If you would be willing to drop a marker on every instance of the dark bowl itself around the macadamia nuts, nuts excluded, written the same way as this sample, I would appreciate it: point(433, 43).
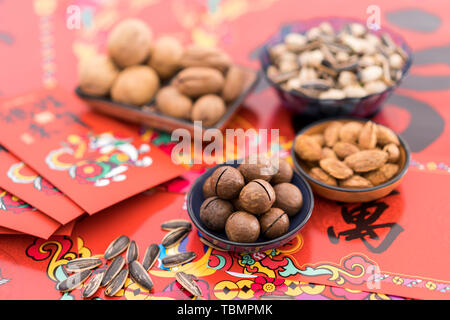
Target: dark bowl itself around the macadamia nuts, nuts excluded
point(219, 239)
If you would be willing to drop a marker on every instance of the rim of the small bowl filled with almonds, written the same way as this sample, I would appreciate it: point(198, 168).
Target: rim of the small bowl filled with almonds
point(327, 186)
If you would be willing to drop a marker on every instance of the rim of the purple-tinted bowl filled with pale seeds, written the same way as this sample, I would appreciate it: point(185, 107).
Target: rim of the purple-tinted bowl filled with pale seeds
point(266, 46)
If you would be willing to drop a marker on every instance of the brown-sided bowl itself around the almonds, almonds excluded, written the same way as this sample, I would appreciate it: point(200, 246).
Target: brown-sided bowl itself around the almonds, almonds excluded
point(346, 194)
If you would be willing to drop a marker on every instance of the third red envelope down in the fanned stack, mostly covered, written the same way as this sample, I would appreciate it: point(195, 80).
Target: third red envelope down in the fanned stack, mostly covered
point(20, 216)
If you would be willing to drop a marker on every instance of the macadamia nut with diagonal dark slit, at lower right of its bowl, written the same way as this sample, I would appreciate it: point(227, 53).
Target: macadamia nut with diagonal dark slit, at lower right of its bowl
point(274, 223)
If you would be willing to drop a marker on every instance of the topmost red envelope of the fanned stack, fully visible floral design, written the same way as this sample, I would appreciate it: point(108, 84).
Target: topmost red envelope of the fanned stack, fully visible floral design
point(94, 160)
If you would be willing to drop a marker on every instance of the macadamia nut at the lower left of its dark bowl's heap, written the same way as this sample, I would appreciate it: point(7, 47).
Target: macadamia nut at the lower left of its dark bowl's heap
point(214, 213)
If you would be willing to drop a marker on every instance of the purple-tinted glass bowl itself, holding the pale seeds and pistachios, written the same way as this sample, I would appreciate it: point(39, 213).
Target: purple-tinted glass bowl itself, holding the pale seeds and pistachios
point(320, 108)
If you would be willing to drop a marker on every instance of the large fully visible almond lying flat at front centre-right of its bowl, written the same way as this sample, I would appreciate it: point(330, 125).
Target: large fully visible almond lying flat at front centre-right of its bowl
point(366, 160)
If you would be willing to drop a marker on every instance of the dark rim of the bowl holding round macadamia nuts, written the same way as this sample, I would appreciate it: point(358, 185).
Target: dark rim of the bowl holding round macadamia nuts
point(203, 230)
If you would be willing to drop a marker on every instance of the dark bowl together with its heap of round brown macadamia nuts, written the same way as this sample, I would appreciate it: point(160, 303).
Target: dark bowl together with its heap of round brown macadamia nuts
point(250, 205)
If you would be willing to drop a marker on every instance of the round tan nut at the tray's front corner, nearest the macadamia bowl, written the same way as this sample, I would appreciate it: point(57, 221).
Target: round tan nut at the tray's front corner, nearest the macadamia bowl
point(208, 109)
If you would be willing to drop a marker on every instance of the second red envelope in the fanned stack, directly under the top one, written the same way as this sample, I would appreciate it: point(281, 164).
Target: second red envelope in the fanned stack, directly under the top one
point(19, 179)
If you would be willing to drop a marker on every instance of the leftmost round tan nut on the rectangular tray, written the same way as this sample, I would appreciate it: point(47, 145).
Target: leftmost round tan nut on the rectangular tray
point(97, 75)
